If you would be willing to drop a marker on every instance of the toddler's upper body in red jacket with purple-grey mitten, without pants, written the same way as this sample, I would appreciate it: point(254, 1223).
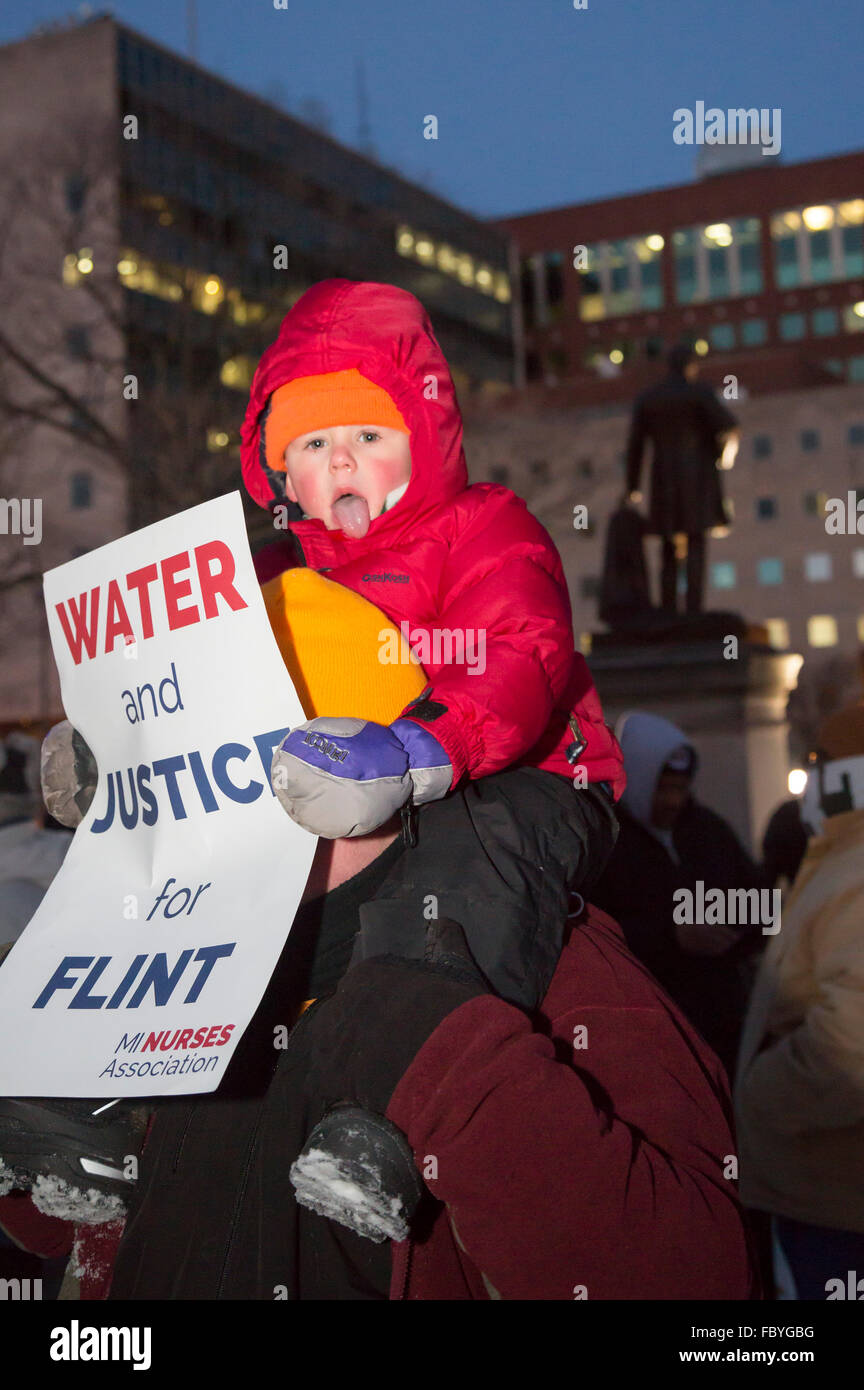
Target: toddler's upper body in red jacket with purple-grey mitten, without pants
point(354, 439)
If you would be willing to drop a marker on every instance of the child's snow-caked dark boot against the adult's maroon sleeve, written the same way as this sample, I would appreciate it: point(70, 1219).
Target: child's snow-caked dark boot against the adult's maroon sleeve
point(358, 1170)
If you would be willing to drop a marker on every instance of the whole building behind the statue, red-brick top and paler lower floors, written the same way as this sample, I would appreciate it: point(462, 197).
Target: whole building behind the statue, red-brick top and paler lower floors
point(763, 272)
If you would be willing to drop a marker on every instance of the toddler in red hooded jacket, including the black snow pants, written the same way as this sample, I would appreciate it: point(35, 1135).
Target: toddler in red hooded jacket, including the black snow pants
point(354, 440)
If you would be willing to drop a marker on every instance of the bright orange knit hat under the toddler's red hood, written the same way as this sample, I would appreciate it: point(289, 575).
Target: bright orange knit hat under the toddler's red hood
point(331, 398)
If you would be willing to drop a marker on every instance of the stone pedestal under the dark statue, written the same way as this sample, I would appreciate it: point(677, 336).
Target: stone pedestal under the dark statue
point(733, 710)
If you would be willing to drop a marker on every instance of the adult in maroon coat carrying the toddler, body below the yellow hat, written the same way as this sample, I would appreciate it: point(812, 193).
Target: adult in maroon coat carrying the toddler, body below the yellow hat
point(577, 1150)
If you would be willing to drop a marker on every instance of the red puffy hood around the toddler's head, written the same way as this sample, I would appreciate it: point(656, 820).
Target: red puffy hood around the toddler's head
point(384, 333)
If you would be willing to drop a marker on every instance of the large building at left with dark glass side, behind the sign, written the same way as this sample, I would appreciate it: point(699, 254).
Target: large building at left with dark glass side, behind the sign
point(162, 223)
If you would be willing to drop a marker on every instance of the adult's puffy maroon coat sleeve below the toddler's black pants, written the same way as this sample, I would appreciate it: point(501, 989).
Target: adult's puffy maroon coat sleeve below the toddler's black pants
point(566, 1179)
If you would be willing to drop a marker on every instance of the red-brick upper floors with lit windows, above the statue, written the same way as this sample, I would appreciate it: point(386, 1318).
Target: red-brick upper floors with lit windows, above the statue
point(762, 269)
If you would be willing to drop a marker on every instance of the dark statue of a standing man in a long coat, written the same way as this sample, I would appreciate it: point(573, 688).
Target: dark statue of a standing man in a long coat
point(691, 433)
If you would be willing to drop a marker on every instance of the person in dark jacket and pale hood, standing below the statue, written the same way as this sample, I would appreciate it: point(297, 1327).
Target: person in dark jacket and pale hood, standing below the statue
point(669, 843)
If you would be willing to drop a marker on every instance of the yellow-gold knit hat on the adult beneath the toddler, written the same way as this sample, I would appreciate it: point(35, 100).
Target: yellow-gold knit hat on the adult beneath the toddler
point(331, 641)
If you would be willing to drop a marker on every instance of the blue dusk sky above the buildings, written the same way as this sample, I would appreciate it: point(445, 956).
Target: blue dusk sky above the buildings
point(538, 105)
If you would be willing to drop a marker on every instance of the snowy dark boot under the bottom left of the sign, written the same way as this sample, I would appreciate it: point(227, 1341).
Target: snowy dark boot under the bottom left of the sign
point(73, 1156)
